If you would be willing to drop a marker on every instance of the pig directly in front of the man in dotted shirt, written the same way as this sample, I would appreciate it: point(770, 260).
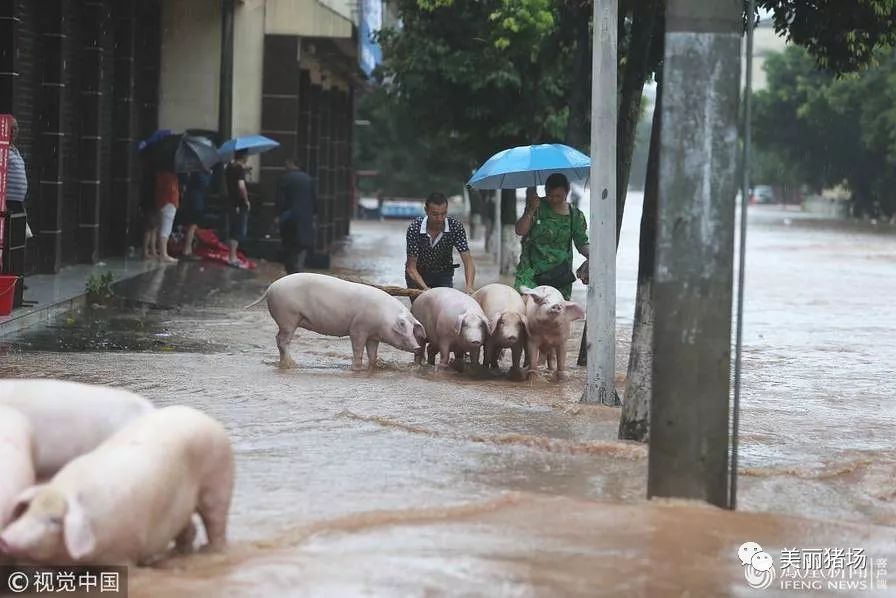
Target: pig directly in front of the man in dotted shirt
point(454, 322)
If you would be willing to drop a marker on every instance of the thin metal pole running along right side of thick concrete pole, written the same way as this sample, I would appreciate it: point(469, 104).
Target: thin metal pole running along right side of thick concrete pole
point(742, 252)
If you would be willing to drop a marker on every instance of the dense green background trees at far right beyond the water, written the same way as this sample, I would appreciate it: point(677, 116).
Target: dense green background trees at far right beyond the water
point(825, 130)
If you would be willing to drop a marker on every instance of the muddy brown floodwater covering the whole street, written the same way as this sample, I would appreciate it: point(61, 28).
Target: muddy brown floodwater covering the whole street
point(403, 482)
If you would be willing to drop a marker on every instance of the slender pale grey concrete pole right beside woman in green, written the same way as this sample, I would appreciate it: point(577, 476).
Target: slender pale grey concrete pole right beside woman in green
point(601, 309)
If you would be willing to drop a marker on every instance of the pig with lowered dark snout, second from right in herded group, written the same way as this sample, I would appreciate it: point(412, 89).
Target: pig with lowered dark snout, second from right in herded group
point(506, 313)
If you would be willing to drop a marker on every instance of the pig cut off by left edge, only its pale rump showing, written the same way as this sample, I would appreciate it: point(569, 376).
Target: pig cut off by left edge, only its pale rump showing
point(17, 452)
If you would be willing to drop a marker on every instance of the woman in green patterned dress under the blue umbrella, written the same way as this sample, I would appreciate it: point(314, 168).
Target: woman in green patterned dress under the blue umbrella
point(549, 227)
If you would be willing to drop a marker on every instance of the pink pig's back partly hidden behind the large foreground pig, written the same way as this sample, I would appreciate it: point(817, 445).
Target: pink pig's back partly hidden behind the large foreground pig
point(69, 418)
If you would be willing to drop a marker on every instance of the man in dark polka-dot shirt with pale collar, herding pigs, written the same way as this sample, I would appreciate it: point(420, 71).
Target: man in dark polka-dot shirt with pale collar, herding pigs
point(431, 240)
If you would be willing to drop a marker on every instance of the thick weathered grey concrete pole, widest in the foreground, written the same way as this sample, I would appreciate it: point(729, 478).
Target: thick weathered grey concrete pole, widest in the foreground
point(688, 454)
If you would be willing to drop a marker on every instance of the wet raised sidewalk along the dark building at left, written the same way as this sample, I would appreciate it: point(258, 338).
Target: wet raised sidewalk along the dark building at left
point(55, 294)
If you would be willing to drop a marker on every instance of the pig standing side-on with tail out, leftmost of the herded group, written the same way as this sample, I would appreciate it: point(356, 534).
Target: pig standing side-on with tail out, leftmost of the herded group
point(335, 307)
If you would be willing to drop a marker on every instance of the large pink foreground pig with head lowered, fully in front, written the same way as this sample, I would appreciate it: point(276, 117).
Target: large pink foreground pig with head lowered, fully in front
point(126, 501)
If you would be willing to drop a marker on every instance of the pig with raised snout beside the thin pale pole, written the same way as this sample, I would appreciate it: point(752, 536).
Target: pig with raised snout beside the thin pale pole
point(548, 319)
